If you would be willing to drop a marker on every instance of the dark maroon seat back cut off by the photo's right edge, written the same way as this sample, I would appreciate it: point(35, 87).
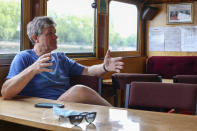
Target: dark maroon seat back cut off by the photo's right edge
point(190, 79)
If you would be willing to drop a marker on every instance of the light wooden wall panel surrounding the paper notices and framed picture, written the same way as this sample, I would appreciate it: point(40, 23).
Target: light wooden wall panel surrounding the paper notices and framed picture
point(160, 20)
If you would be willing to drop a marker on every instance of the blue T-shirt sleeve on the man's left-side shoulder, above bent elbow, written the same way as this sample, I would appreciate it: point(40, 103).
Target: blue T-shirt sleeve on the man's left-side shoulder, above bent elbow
point(17, 66)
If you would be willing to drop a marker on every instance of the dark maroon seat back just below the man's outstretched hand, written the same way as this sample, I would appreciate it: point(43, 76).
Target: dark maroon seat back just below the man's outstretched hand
point(119, 80)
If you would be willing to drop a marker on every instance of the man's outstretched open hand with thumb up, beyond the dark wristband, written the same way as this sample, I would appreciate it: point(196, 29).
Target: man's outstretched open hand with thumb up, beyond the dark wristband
point(113, 64)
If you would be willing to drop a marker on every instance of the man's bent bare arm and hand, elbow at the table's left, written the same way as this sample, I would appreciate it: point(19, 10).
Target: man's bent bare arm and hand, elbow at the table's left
point(15, 85)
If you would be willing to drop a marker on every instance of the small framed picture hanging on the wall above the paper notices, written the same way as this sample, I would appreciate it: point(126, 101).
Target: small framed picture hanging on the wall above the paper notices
point(179, 13)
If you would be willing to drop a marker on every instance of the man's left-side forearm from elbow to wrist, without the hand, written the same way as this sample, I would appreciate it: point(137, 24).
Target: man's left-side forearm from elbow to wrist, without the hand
point(13, 86)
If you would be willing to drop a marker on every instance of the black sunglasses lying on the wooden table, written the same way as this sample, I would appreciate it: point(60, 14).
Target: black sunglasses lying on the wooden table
point(77, 119)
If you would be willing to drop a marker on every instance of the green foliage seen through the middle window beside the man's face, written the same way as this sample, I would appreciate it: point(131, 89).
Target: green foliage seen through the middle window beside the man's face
point(75, 29)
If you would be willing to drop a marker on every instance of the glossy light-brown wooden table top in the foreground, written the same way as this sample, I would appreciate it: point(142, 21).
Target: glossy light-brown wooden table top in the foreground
point(22, 111)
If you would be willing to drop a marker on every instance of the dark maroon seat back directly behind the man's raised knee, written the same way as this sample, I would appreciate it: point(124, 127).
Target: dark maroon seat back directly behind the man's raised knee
point(90, 81)
